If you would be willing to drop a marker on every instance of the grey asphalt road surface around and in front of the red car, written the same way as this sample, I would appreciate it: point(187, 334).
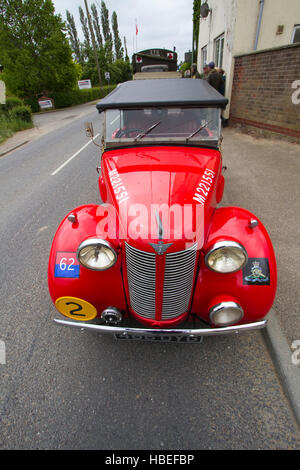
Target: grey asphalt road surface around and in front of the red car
point(70, 389)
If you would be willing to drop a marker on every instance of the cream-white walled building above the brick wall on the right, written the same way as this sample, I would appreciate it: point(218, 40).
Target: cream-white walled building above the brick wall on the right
point(235, 27)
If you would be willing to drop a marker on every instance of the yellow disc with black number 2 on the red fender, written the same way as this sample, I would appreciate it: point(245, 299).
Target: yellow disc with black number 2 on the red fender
point(75, 308)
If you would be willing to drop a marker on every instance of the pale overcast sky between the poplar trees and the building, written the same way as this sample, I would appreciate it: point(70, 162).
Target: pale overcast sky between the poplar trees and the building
point(161, 23)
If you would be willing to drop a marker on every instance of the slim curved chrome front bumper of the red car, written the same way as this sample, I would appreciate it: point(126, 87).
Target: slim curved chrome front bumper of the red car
point(146, 332)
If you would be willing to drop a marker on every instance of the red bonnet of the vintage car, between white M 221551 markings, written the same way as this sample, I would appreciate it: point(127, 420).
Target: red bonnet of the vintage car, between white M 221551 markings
point(163, 175)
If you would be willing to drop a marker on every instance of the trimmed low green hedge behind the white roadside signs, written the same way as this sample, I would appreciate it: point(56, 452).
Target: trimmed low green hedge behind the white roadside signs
point(65, 99)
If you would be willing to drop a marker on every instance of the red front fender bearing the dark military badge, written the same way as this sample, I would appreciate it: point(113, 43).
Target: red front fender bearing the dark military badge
point(255, 295)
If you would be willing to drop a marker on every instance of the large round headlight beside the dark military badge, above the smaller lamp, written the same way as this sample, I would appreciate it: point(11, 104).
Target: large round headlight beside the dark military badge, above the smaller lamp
point(226, 257)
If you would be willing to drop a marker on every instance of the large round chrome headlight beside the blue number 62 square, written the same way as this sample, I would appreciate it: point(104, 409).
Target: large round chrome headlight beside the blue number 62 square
point(96, 254)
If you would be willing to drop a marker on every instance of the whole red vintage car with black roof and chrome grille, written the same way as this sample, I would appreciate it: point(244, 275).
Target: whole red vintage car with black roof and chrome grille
point(157, 259)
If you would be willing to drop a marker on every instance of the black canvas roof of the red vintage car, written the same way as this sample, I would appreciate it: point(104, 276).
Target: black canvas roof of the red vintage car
point(162, 92)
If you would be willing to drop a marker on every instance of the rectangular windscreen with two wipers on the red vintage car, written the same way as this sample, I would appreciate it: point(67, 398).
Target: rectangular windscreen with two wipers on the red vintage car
point(162, 125)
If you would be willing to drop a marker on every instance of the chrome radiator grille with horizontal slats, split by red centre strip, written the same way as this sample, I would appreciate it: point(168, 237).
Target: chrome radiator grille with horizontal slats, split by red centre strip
point(178, 281)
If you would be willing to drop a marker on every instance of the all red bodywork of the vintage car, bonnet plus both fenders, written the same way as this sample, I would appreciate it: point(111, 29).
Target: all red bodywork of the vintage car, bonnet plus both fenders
point(165, 175)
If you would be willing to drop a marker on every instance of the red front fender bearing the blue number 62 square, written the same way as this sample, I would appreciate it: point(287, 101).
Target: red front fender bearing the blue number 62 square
point(67, 278)
